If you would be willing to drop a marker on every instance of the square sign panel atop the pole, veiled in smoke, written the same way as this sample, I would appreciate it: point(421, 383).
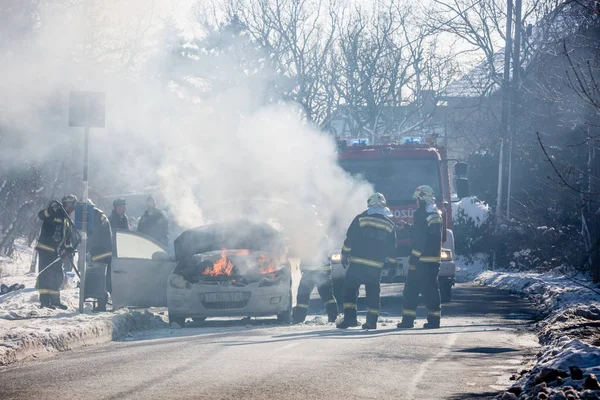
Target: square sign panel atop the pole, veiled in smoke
point(86, 109)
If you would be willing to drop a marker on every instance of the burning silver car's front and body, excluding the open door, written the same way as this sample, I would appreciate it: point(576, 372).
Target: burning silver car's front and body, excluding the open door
point(232, 269)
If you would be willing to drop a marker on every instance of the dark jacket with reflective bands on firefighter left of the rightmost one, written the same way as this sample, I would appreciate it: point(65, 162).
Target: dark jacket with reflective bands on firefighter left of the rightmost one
point(370, 240)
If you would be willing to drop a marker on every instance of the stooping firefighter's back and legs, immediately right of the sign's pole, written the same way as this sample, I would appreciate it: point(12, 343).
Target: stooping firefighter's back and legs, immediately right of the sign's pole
point(100, 250)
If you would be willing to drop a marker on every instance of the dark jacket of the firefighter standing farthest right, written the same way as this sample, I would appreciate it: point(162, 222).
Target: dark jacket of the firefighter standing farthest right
point(426, 236)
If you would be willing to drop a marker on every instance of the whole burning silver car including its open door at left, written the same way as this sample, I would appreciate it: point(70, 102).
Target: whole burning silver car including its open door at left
point(237, 267)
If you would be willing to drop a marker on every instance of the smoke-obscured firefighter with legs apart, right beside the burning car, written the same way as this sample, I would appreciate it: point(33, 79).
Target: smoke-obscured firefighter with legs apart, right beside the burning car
point(315, 273)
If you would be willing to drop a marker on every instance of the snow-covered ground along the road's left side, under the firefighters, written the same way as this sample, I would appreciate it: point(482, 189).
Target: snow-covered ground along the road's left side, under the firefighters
point(26, 331)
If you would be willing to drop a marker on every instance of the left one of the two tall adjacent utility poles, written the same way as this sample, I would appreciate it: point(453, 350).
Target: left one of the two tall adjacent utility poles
point(505, 105)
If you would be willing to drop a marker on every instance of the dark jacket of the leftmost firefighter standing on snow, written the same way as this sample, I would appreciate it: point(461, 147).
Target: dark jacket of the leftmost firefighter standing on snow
point(57, 234)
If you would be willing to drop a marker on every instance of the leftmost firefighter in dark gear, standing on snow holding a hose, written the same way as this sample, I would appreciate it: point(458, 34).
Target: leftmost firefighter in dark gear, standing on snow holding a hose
point(57, 243)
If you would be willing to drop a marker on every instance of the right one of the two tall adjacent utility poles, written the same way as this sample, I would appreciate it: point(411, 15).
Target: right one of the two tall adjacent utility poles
point(515, 97)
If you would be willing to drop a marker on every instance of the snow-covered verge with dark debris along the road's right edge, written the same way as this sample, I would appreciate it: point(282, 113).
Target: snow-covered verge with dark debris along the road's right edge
point(570, 360)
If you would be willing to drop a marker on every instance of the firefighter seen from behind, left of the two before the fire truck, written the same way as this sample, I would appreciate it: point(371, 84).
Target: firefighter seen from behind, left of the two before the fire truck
point(370, 244)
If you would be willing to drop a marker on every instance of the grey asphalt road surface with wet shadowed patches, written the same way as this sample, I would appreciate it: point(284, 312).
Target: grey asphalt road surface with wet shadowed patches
point(484, 339)
